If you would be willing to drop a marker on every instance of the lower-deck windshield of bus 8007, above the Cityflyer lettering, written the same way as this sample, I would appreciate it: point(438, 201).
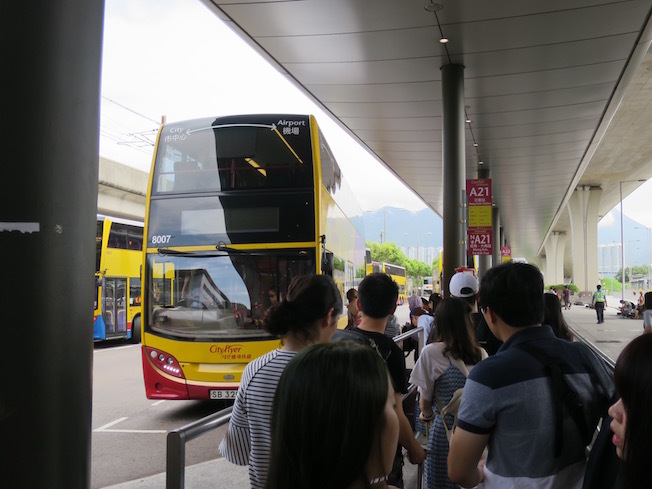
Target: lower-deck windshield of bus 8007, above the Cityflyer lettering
point(217, 297)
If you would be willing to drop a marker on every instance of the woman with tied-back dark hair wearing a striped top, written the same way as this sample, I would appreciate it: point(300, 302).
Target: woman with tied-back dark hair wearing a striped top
point(308, 314)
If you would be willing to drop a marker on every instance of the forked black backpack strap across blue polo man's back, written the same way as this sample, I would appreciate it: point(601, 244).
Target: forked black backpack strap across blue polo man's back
point(562, 394)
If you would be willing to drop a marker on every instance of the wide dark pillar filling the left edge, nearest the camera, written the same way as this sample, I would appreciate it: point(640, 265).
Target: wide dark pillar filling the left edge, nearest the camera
point(51, 65)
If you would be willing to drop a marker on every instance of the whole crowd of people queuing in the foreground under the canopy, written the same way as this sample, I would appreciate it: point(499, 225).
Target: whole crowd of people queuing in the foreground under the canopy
point(510, 400)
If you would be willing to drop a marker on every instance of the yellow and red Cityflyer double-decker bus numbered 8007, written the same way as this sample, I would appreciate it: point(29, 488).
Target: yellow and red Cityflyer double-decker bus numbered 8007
point(236, 207)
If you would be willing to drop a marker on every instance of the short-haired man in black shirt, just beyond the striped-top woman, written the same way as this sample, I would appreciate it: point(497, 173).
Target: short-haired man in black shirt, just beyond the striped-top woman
point(377, 296)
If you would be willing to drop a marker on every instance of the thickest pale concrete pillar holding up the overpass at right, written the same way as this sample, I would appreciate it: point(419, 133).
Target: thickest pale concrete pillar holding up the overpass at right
point(583, 211)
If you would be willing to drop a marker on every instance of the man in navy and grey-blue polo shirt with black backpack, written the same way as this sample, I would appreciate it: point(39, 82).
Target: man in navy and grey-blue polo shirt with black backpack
point(508, 403)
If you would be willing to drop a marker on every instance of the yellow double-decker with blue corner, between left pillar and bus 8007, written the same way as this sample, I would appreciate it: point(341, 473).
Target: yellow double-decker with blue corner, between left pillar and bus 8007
point(118, 257)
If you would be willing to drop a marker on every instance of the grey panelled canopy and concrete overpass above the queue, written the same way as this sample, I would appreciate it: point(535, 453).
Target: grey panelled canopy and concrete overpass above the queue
point(545, 86)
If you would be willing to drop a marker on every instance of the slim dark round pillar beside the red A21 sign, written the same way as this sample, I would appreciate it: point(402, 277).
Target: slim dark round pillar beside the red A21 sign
point(454, 169)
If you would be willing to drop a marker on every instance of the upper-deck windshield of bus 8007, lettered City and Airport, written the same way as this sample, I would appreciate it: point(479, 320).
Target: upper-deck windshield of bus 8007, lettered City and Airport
point(227, 155)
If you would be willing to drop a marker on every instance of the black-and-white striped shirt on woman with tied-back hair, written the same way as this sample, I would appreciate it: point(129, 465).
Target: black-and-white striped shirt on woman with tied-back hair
point(248, 438)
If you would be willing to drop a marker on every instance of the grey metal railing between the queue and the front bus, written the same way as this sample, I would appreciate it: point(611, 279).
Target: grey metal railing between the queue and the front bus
point(175, 465)
